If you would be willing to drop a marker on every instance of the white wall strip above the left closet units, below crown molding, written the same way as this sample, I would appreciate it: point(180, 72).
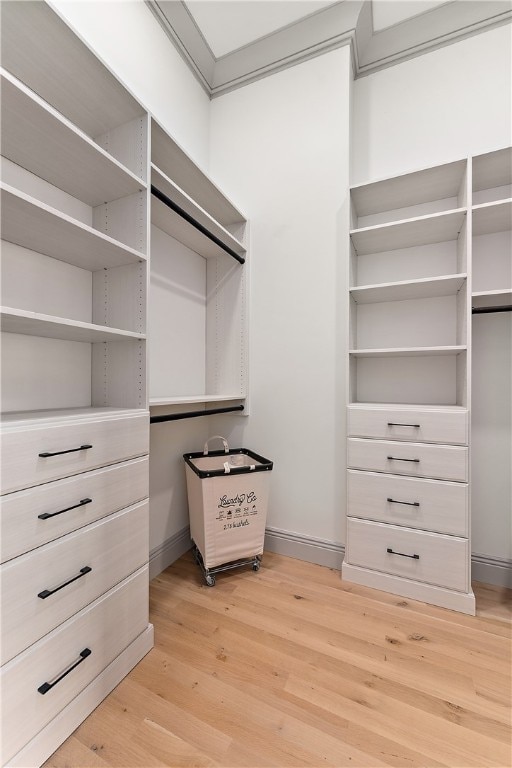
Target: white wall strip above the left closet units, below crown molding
point(128, 38)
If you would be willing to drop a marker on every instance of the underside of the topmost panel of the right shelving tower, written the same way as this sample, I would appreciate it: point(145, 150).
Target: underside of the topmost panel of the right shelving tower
point(409, 189)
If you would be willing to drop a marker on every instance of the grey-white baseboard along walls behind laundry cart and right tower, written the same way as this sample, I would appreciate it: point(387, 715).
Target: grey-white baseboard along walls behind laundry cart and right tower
point(490, 570)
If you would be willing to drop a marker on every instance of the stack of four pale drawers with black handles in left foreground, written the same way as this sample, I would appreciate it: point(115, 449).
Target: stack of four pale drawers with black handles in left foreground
point(74, 566)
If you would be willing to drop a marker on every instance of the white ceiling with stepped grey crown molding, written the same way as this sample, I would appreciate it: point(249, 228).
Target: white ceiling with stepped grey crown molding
point(231, 43)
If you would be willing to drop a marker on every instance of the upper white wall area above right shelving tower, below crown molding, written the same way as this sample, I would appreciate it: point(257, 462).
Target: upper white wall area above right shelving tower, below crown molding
point(447, 104)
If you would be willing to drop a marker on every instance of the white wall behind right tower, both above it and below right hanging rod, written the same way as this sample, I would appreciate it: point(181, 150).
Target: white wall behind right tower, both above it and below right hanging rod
point(448, 104)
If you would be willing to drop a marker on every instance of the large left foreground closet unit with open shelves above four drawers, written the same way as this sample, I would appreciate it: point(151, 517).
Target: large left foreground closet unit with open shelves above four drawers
point(75, 420)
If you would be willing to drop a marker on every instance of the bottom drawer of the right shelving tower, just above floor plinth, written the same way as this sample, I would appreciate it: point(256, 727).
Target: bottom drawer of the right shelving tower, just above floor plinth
point(440, 560)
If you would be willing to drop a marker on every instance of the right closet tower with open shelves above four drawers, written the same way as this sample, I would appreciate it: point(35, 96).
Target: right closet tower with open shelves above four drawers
point(409, 330)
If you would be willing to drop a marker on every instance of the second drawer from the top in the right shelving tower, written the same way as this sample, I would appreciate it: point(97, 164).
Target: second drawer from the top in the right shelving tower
point(444, 462)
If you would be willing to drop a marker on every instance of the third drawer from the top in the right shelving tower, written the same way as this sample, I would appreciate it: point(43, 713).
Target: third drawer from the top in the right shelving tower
point(432, 505)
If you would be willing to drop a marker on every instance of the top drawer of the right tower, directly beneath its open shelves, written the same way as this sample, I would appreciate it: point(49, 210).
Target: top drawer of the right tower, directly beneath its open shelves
point(420, 426)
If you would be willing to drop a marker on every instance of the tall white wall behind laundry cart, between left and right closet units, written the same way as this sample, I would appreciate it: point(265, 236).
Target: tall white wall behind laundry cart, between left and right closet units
point(280, 148)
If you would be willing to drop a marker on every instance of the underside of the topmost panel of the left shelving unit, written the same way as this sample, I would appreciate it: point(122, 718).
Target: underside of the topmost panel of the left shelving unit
point(56, 64)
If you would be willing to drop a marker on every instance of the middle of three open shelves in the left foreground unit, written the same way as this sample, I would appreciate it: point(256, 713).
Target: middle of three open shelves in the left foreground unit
point(34, 225)
